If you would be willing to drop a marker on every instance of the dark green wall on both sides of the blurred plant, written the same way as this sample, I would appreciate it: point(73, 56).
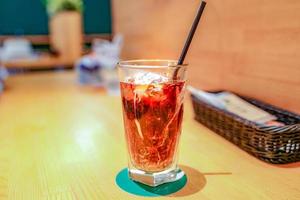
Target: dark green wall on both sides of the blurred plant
point(29, 17)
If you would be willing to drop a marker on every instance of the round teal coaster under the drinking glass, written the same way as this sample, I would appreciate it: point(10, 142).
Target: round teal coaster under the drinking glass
point(132, 187)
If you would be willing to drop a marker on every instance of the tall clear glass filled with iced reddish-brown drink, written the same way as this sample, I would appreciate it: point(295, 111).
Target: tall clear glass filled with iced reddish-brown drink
point(152, 102)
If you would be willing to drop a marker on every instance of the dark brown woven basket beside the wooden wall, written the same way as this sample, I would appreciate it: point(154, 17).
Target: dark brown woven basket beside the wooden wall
point(273, 144)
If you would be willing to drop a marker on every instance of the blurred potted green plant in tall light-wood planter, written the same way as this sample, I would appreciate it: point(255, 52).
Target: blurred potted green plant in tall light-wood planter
point(66, 28)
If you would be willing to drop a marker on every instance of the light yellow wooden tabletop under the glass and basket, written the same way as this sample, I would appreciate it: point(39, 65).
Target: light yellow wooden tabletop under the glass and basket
point(62, 141)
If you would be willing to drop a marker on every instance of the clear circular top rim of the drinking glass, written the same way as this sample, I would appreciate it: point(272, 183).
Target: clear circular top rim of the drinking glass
point(142, 63)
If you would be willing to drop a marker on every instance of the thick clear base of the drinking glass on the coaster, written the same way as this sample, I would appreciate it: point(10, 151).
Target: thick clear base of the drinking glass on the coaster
point(156, 178)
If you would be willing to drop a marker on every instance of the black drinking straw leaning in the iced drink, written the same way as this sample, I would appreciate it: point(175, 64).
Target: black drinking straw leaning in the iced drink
point(190, 37)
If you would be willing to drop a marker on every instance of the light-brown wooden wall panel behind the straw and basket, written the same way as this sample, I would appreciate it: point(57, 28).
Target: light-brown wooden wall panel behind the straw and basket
point(250, 46)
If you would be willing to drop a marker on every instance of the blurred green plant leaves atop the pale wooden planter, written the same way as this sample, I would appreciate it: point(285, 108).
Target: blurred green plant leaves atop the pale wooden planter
point(55, 6)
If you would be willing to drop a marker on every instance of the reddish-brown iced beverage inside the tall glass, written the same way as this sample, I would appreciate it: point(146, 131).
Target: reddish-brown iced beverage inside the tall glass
point(152, 117)
